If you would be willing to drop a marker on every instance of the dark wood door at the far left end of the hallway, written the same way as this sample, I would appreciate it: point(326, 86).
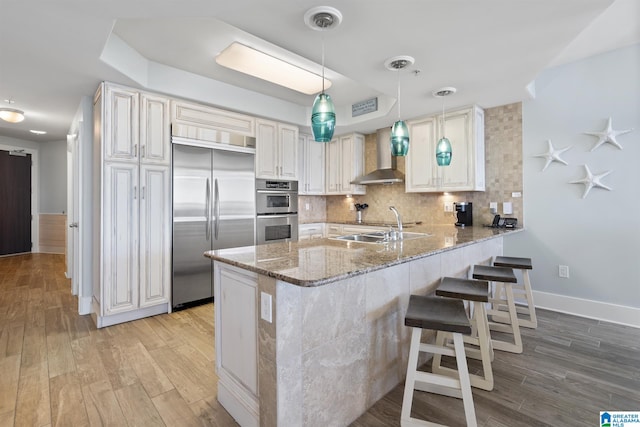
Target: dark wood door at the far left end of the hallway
point(15, 203)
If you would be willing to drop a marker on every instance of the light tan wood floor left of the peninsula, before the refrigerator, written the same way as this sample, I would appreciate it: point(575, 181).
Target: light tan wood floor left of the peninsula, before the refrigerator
point(56, 368)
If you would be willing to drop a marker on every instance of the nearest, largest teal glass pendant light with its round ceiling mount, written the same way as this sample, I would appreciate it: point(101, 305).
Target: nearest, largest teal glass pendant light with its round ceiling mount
point(323, 112)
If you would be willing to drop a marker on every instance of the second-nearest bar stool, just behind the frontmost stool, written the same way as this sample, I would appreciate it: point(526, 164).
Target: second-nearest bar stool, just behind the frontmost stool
point(477, 293)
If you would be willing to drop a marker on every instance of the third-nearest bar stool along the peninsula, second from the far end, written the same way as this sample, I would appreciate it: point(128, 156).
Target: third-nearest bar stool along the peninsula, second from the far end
point(509, 319)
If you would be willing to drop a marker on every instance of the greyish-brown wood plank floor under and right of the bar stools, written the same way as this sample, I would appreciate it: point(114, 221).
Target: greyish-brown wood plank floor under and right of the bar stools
point(571, 369)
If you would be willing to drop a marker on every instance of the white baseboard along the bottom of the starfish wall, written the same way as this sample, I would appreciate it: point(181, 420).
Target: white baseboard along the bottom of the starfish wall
point(613, 313)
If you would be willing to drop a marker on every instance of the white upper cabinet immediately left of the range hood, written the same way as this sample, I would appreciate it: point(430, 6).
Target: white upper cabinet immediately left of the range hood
point(344, 163)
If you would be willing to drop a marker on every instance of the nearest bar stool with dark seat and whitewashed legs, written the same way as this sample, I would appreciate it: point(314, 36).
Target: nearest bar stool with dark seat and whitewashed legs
point(440, 314)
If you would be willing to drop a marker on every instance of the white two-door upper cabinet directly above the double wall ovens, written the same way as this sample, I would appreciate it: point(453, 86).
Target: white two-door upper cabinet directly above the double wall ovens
point(276, 150)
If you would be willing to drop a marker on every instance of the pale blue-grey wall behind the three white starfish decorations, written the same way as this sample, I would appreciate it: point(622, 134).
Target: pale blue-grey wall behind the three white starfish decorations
point(598, 237)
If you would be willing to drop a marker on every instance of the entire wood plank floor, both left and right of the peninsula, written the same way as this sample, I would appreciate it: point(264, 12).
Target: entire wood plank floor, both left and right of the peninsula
point(56, 368)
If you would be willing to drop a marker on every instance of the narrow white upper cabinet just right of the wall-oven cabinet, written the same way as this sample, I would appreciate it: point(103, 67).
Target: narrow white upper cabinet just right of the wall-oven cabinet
point(311, 166)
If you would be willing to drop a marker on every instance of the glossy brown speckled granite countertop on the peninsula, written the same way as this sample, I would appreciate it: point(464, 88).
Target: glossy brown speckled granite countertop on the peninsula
point(321, 261)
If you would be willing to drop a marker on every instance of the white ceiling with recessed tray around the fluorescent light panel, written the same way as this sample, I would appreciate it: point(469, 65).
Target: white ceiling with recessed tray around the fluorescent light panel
point(52, 53)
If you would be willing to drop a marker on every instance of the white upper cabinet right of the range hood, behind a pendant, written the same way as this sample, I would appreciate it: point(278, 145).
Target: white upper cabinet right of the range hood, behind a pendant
point(465, 130)
